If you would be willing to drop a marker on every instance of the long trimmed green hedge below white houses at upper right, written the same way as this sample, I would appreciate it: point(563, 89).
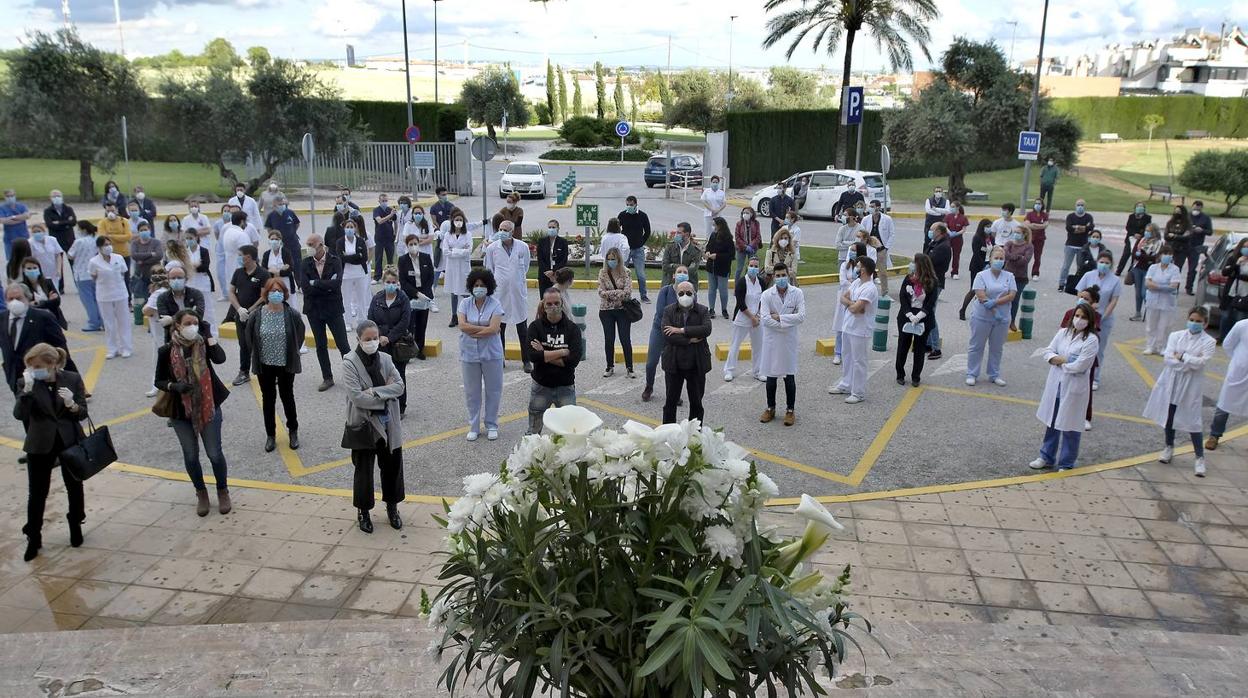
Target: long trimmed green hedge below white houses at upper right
point(1221, 117)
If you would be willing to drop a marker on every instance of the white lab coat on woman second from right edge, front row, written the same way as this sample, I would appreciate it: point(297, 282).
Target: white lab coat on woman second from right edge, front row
point(1182, 381)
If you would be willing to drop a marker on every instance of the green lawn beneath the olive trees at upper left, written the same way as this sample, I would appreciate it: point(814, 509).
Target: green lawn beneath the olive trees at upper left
point(34, 179)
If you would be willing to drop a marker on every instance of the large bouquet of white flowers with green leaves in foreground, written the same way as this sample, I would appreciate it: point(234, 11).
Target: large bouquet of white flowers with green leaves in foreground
point(632, 565)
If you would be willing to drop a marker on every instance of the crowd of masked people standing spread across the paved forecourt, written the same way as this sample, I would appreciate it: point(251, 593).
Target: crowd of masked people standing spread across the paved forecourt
point(381, 288)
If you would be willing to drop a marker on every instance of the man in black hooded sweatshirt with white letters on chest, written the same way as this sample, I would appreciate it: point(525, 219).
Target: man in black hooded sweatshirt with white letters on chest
point(555, 350)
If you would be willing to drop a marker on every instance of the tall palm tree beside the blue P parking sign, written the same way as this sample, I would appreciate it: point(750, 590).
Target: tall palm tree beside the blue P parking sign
point(892, 23)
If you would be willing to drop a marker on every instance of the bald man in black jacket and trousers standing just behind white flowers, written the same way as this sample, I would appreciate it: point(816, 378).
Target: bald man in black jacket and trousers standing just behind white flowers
point(686, 354)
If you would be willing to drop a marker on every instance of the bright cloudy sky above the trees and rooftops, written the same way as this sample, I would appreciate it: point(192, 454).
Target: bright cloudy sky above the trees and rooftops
point(580, 32)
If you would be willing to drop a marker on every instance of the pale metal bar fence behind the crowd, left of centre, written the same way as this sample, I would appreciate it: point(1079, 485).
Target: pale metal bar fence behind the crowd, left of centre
point(376, 167)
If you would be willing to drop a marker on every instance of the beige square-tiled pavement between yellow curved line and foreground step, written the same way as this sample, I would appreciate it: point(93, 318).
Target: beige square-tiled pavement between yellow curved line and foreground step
point(1149, 548)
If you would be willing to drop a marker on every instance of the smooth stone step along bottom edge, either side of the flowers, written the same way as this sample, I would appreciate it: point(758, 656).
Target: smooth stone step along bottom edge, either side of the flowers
point(363, 657)
